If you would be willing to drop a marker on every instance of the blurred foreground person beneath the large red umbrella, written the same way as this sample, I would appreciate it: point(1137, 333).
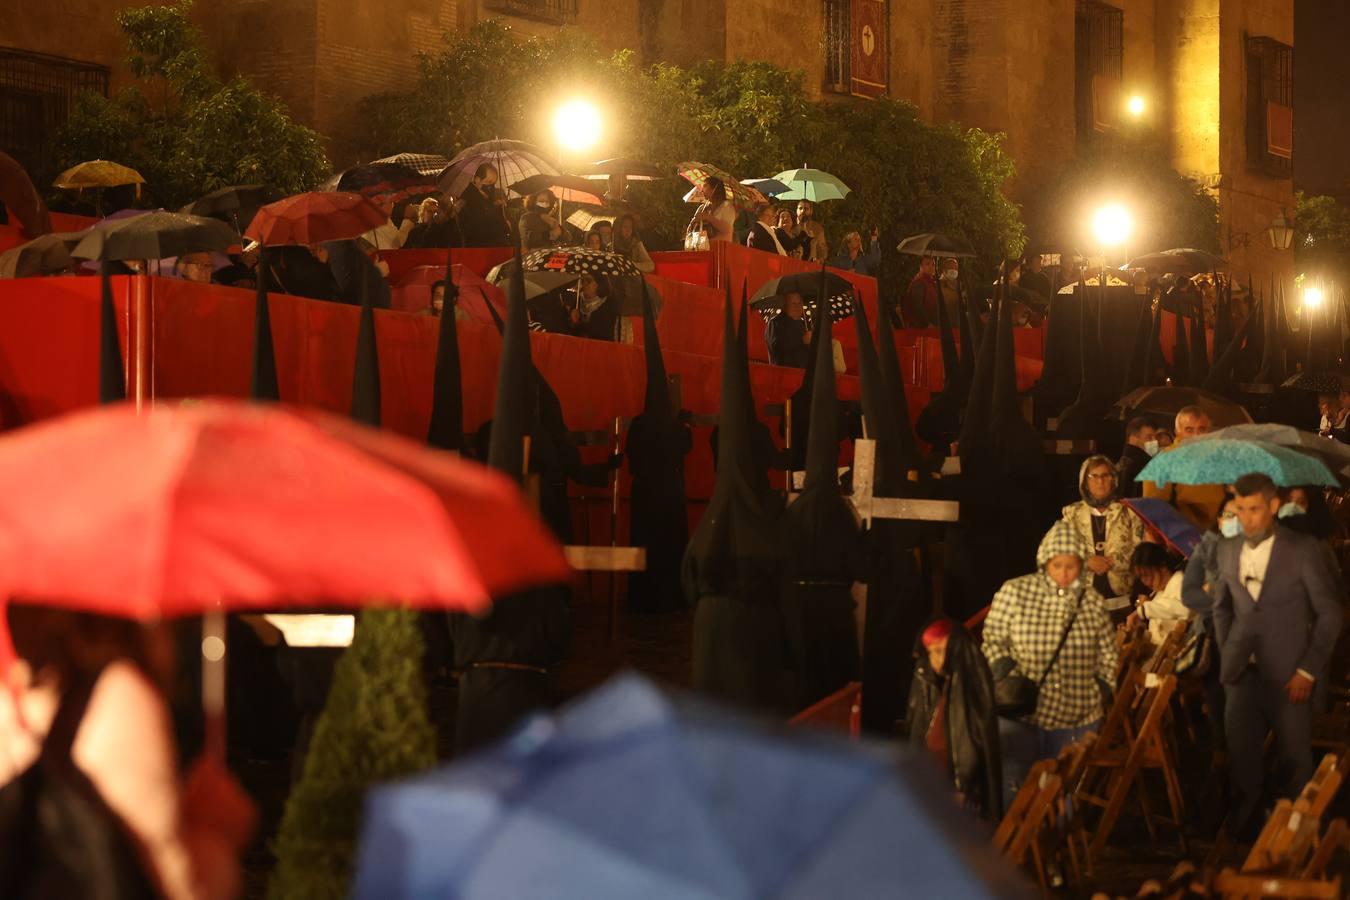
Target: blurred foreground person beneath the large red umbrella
point(94, 687)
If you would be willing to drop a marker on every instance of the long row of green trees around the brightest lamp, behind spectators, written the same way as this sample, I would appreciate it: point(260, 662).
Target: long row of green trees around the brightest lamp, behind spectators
point(754, 119)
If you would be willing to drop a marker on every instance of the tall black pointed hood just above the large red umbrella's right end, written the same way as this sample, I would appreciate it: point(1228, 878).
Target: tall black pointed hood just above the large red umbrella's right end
point(516, 384)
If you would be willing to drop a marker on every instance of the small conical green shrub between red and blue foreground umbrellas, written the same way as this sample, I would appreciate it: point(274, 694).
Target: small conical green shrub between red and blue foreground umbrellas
point(373, 729)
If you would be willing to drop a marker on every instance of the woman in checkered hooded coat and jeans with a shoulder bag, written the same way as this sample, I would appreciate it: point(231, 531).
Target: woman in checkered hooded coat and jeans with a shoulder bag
point(1027, 621)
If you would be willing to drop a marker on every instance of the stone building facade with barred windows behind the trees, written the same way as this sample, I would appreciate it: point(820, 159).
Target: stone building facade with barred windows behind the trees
point(1214, 76)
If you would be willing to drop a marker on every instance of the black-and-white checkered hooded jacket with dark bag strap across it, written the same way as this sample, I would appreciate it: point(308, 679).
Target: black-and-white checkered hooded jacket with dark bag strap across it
point(1027, 620)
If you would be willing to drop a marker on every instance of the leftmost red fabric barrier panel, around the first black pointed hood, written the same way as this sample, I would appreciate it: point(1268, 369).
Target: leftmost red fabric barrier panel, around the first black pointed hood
point(49, 345)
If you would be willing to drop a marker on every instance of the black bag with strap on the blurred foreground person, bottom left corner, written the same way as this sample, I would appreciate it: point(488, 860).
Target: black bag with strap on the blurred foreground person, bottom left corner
point(59, 835)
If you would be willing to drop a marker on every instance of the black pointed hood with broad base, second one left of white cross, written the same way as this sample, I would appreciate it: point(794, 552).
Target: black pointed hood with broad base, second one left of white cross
point(736, 540)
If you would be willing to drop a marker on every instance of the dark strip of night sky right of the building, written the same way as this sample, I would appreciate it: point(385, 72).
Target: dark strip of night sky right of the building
point(1321, 98)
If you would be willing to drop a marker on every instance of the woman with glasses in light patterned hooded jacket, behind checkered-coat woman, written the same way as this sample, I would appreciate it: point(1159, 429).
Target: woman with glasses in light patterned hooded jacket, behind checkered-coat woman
point(1106, 526)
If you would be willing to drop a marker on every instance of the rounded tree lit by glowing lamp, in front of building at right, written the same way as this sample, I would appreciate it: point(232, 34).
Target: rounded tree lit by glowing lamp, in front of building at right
point(1170, 210)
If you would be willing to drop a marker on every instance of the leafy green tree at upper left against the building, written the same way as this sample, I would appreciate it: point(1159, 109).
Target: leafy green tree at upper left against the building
point(184, 130)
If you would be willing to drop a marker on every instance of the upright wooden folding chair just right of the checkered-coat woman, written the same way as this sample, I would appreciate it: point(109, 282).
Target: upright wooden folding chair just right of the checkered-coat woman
point(1133, 741)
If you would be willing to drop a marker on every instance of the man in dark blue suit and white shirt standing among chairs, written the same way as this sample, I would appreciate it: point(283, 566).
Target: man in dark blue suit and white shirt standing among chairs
point(1276, 617)
